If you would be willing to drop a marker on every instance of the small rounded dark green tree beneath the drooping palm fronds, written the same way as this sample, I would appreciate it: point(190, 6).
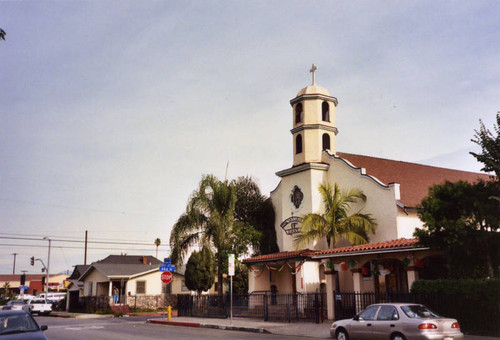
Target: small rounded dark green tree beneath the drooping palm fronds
point(200, 270)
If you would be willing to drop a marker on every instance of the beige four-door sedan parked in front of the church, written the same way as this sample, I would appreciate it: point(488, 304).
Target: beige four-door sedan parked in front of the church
point(397, 321)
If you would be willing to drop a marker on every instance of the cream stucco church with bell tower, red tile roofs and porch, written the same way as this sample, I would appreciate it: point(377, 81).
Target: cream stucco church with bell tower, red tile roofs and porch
point(390, 261)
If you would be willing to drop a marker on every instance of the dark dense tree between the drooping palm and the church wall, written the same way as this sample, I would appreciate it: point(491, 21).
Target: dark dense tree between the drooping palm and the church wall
point(256, 210)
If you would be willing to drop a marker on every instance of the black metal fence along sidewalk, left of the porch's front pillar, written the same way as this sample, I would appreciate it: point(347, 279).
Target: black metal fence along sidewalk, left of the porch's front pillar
point(269, 307)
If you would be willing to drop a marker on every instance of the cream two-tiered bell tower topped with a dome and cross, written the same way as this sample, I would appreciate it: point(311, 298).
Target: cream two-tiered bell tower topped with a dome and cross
point(313, 123)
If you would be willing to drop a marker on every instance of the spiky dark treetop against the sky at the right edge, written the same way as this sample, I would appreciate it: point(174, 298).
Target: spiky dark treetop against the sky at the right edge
point(490, 145)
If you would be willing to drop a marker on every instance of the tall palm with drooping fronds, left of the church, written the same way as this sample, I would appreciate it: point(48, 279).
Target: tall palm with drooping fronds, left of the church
point(208, 221)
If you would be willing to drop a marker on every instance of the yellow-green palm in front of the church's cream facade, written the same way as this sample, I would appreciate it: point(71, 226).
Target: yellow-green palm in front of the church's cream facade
point(335, 224)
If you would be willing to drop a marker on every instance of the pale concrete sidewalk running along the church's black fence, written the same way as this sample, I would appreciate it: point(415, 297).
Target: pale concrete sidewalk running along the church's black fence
point(302, 329)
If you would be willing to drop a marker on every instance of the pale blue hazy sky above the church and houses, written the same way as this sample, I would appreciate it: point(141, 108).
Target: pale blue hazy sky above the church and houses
point(111, 111)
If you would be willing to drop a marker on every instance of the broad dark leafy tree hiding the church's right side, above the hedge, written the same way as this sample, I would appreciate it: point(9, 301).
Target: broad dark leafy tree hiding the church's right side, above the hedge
point(461, 219)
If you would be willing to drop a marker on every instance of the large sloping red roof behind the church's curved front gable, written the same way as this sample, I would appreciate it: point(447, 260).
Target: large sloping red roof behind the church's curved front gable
point(414, 179)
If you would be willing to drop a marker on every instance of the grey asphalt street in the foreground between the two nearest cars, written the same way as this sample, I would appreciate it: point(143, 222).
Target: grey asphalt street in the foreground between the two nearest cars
point(136, 328)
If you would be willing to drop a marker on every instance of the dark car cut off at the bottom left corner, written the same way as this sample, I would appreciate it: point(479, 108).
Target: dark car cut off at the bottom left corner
point(15, 324)
